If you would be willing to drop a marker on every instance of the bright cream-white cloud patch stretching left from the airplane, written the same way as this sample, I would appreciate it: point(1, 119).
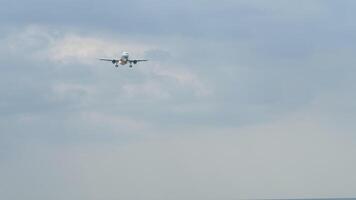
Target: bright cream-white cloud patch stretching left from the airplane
point(65, 46)
